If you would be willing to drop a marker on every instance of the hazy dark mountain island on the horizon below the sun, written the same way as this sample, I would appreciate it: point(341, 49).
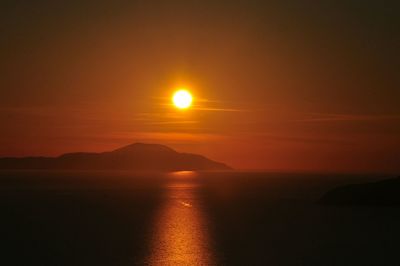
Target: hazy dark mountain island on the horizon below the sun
point(138, 156)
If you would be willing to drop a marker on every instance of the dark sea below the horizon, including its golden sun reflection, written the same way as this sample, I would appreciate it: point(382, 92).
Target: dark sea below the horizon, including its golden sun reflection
point(187, 218)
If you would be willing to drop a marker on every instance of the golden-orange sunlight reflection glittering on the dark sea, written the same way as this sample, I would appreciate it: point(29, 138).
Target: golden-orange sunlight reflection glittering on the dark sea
point(180, 235)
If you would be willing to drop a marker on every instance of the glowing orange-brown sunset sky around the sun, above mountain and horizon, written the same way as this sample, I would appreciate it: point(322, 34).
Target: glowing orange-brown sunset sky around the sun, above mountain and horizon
point(279, 85)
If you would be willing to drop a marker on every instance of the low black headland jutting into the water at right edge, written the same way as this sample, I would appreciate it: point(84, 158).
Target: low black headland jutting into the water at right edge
point(384, 192)
